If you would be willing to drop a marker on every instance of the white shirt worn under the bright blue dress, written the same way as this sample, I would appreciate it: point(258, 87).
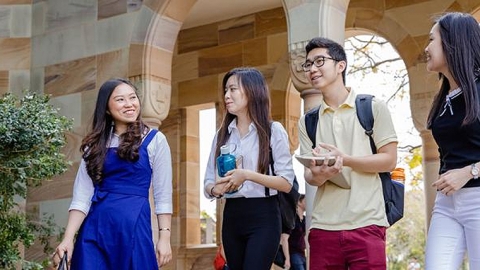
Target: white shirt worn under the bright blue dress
point(160, 160)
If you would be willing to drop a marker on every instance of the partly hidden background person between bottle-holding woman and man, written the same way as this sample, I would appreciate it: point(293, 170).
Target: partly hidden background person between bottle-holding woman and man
point(296, 241)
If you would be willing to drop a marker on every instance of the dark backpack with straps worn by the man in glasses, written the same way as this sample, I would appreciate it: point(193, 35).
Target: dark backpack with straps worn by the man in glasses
point(393, 191)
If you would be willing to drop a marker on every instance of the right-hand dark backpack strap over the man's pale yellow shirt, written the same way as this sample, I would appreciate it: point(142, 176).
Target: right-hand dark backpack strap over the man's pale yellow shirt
point(363, 104)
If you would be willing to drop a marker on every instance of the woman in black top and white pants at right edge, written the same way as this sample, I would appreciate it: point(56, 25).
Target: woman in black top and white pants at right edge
point(454, 119)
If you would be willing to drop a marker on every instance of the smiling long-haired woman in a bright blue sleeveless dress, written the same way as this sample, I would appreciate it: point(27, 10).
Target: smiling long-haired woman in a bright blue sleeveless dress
point(122, 157)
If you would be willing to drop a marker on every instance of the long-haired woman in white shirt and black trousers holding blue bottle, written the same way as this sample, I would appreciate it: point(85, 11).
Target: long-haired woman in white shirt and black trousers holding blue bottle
point(251, 217)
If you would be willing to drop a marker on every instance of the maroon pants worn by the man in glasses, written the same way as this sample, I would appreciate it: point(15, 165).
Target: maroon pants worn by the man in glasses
point(358, 249)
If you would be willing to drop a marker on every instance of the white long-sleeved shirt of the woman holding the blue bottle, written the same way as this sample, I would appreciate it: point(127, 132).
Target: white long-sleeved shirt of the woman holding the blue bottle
point(248, 147)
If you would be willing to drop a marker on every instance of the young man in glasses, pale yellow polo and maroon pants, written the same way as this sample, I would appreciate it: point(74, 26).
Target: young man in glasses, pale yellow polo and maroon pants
point(348, 220)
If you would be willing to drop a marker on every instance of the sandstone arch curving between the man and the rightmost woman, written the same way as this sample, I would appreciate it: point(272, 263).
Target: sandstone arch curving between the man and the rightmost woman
point(410, 49)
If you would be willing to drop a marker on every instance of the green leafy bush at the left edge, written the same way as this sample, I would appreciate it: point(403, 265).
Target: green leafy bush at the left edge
point(32, 134)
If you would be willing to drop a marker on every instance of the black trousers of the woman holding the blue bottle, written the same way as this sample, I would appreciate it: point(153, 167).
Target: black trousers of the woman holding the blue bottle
point(251, 232)
